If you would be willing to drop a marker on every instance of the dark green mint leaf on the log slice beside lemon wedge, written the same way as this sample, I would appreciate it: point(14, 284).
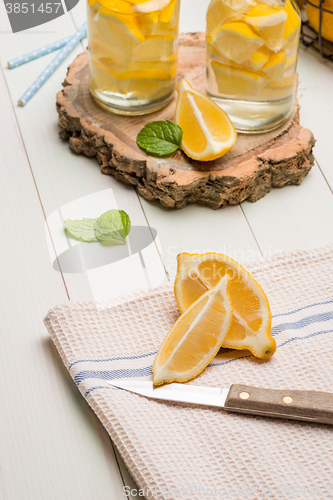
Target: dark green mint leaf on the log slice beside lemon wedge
point(160, 138)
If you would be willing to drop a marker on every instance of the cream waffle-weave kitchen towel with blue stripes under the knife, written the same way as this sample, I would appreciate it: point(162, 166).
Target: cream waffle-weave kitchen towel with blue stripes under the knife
point(183, 451)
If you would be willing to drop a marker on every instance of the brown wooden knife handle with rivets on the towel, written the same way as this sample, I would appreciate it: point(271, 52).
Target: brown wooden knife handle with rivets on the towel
point(311, 406)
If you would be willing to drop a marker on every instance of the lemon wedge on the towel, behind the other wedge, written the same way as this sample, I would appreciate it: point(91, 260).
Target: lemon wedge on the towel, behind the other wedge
point(251, 321)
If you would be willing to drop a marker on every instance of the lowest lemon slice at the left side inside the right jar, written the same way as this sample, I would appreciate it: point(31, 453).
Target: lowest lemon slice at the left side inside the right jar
point(238, 82)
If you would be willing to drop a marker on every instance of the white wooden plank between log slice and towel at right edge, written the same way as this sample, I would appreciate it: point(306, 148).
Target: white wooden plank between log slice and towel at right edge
point(293, 217)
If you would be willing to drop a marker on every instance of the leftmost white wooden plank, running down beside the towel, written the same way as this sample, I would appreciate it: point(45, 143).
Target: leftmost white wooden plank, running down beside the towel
point(52, 445)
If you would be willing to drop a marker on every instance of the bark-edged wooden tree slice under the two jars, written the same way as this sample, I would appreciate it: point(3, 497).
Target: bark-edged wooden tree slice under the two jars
point(247, 172)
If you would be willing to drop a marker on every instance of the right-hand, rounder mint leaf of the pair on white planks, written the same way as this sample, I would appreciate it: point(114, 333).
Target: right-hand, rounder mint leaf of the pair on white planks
point(113, 225)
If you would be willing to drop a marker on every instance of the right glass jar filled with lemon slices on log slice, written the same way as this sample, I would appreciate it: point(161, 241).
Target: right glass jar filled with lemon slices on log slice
point(252, 49)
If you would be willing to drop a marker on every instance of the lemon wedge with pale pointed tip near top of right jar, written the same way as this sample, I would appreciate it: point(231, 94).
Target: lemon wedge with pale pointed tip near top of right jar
point(269, 23)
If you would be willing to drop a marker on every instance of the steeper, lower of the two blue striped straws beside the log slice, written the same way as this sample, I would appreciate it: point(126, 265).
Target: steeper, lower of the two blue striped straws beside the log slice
point(81, 33)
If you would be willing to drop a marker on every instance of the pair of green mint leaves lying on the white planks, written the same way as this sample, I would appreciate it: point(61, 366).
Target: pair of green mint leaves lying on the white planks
point(112, 226)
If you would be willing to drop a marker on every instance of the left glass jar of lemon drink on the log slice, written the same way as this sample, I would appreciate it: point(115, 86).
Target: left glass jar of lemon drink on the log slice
point(133, 49)
